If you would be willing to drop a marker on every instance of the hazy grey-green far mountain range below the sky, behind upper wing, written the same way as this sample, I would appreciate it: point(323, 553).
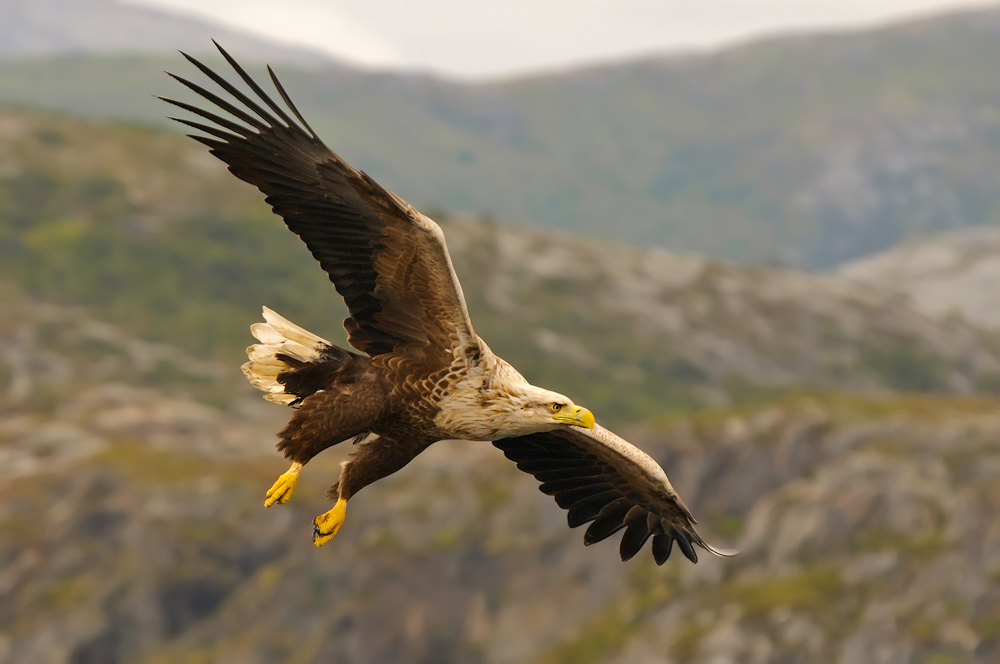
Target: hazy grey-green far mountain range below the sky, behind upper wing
point(804, 151)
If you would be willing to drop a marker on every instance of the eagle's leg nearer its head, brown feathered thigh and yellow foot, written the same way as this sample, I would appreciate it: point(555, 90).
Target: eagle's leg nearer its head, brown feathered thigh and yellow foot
point(373, 461)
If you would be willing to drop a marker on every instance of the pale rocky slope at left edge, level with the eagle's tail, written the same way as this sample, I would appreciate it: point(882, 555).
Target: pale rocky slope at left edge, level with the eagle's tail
point(71, 384)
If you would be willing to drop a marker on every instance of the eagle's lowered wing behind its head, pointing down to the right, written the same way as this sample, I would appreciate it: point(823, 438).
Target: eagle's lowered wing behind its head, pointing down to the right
point(599, 477)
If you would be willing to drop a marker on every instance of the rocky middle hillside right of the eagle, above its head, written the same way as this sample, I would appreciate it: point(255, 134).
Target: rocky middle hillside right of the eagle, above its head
point(684, 330)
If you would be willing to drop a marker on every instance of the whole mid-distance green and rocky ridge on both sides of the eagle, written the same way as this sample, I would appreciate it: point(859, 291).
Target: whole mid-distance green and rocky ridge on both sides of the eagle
point(153, 234)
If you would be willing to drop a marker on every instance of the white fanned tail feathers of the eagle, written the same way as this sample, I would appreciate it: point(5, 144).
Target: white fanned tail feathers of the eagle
point(278, 335)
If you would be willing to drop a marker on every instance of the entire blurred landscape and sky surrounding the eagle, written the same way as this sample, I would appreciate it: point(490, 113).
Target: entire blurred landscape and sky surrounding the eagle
point(761, 240)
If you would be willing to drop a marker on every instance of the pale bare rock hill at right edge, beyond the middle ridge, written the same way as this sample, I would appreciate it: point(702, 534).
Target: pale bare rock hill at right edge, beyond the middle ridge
point(952, 275)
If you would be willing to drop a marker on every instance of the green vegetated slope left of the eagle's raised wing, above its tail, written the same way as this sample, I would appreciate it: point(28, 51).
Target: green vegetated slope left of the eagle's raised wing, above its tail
point(115, 219)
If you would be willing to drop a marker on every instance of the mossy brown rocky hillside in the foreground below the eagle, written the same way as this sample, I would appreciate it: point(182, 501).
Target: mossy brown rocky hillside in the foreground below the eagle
point(136, 533)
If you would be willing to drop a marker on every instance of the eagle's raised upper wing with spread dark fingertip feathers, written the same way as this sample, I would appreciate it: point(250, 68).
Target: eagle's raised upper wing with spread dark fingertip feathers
point(387, 260)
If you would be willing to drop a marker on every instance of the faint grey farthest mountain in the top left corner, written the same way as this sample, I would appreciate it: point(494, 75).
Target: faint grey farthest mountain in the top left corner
point(46, 27)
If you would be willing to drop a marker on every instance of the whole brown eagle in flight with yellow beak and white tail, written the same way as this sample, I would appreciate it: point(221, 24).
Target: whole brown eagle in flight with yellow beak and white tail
point(421, 374)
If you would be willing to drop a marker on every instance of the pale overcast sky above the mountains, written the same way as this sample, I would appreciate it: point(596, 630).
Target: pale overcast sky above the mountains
point(477, 38)
